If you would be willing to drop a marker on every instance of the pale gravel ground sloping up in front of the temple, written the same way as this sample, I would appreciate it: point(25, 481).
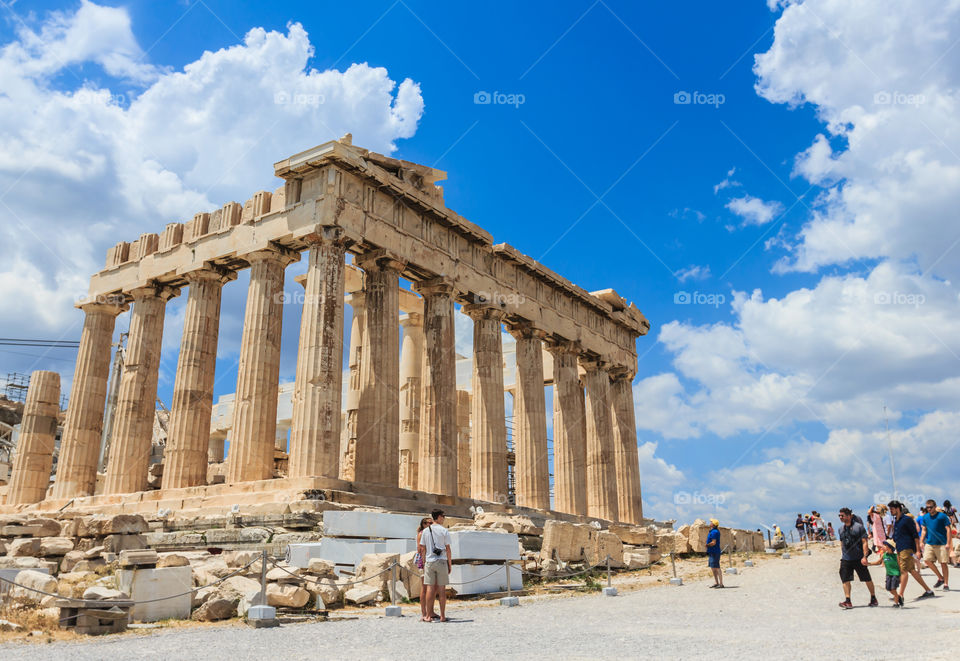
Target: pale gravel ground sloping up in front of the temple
point(778, 609)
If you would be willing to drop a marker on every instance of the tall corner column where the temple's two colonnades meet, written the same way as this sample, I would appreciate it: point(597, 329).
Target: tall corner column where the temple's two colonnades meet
point(315, 431)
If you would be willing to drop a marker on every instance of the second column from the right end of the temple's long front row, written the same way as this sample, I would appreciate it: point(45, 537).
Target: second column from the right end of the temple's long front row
point(601, 476)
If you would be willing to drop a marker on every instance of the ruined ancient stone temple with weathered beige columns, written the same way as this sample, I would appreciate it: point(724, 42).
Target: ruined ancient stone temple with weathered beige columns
point(403, 435)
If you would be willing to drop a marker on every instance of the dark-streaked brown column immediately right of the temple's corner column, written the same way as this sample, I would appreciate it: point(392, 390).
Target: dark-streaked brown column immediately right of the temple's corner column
point(377, 449)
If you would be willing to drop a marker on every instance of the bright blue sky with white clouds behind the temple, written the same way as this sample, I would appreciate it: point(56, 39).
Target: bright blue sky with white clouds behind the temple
point(750, 397)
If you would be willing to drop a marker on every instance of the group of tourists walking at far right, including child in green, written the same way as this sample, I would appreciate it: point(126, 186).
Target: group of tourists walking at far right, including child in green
point(902, 543)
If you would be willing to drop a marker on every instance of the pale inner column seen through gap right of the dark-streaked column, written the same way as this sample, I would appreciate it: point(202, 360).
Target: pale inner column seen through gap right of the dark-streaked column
point(411, 363)
